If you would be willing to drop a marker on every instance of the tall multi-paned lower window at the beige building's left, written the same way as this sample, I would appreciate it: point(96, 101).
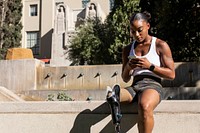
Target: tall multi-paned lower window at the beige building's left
point(33, 42)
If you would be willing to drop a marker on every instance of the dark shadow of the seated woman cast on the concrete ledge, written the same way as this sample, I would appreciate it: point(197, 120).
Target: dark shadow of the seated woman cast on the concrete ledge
point(88, 118)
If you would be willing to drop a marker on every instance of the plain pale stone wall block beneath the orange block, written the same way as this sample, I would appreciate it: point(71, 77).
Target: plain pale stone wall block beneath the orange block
point(18, 75)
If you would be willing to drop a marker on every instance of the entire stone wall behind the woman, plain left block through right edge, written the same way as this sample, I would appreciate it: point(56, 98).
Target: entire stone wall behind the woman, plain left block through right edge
point(31, 74)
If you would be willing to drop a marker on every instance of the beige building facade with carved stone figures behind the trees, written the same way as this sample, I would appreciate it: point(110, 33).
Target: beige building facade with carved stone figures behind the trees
point(46, 23)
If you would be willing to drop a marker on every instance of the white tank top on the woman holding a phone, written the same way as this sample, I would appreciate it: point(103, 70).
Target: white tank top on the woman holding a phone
point(152, 57)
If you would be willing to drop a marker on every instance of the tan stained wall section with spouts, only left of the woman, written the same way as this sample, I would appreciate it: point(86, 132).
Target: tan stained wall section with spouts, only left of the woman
point(79, 77)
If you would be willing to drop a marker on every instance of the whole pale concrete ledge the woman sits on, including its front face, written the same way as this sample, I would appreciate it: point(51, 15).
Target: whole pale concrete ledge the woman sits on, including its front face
point(94, 117)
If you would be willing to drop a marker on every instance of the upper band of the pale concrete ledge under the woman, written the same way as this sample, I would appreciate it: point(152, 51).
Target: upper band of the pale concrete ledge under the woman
point(166, 106)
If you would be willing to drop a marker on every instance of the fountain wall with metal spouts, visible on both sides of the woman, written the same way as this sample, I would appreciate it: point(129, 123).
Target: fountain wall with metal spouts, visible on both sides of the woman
point(100, 76)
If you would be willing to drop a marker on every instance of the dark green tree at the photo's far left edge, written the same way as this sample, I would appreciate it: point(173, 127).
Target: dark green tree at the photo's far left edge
point(10, 25)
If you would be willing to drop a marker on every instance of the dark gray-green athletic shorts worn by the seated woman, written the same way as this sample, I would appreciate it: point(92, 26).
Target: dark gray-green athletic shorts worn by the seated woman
point(146, 83)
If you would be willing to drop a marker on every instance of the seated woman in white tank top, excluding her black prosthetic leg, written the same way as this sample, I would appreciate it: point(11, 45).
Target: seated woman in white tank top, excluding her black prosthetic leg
point(147, 59)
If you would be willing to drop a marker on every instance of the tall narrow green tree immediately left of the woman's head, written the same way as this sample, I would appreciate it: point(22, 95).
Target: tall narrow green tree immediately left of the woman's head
point(119, 19)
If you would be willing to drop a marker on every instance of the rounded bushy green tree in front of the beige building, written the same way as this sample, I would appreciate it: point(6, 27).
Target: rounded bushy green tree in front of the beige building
point(91, 44)
